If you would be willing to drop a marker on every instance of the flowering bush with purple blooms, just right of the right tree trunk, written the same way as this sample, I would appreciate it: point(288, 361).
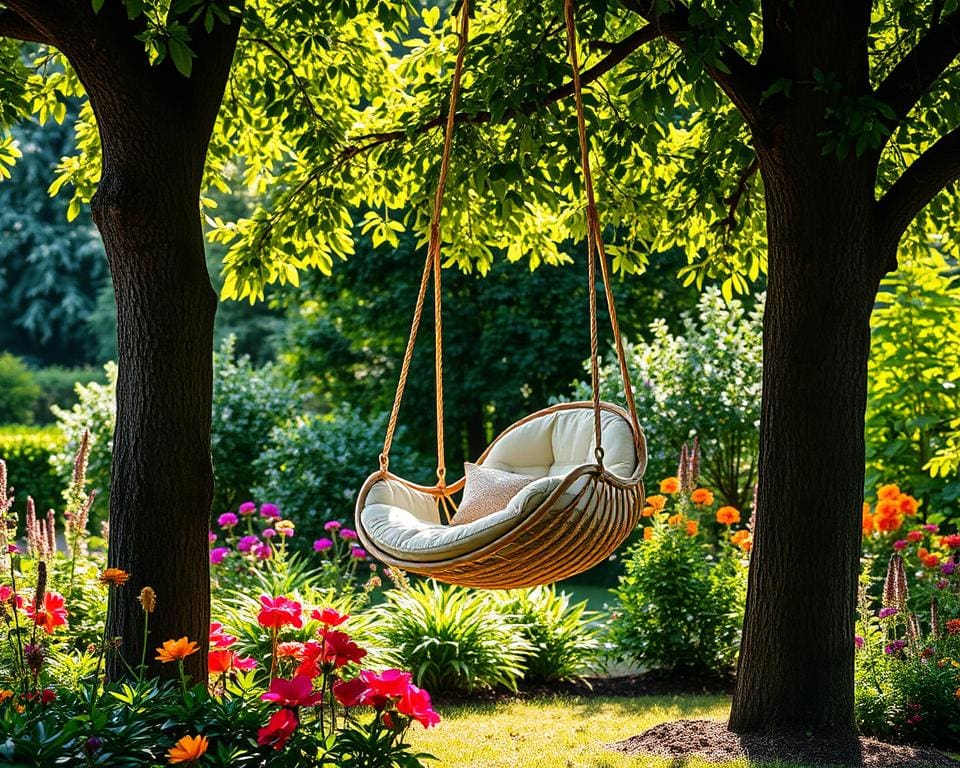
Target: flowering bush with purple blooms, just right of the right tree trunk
point(908, 662)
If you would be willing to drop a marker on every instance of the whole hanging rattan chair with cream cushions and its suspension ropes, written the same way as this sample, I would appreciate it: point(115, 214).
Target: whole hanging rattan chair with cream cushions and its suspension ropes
point(577, 467)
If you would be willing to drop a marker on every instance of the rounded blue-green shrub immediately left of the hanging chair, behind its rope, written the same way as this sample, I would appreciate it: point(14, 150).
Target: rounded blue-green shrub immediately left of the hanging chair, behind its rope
point(315, 465)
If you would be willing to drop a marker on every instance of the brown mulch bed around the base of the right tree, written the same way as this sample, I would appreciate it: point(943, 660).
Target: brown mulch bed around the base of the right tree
point(712, 742)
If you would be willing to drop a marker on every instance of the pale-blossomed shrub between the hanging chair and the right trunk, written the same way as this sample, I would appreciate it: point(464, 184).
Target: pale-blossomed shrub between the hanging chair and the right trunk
point(704, 381)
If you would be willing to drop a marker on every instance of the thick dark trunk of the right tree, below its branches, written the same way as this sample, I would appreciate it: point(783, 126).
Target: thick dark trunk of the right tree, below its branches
point(796, 663)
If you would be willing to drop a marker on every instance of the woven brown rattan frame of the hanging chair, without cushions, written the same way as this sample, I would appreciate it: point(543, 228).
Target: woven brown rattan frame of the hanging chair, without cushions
point(553, 541)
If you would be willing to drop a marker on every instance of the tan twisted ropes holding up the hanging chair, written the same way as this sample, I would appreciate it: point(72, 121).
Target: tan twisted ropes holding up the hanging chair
point(432, 267)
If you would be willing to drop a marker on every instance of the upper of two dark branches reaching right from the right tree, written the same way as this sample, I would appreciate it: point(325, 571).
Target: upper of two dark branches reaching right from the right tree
point(919, 69)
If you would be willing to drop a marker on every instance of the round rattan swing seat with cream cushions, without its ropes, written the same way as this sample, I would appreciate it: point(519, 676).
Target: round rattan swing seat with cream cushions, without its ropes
point(571, 516)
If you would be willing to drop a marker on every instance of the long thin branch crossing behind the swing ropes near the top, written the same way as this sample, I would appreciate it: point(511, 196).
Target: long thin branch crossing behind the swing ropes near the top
point(617, 53)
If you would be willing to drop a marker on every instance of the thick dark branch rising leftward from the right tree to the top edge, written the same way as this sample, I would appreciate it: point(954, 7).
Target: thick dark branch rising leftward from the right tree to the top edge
point(736, 76)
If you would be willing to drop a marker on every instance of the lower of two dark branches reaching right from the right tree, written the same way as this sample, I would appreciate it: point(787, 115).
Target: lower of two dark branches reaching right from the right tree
point(936, 168)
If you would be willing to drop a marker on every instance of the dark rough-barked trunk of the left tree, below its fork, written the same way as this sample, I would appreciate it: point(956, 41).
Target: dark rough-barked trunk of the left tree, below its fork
point(162, 479)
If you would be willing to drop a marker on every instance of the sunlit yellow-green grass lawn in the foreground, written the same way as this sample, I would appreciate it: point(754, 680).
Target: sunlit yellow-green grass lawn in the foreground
point(563, 732)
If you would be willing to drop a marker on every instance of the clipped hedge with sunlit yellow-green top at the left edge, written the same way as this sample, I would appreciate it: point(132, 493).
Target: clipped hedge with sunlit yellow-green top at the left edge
point(28, 452)
